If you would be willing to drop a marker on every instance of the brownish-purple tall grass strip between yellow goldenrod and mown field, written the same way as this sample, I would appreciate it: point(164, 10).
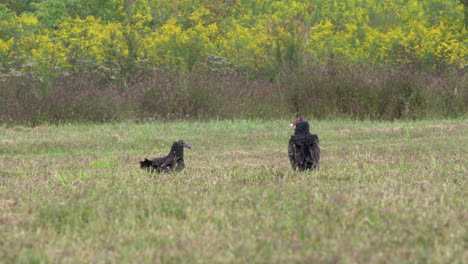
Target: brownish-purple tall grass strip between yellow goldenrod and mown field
point(319, 91)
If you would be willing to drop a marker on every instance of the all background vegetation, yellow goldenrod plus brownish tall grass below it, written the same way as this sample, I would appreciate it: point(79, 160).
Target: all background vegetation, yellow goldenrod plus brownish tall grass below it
point(142, 58)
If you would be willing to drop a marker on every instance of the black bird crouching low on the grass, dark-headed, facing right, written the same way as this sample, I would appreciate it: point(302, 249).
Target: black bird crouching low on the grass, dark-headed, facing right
point(174, 161)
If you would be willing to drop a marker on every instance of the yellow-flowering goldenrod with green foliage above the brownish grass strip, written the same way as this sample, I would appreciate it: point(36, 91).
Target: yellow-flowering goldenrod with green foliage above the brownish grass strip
point(257, 35)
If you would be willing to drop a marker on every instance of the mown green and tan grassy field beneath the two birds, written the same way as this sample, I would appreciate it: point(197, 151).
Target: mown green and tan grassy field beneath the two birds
point(387, 192)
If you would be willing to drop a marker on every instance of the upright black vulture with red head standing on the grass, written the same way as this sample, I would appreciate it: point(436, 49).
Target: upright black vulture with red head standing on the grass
point(304, 148)
